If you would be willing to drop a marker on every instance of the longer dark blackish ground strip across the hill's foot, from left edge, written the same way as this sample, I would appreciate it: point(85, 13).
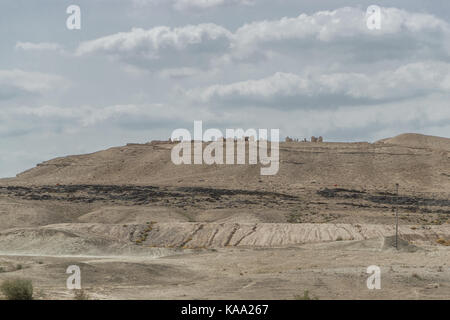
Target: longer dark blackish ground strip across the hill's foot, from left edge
point(142, 195)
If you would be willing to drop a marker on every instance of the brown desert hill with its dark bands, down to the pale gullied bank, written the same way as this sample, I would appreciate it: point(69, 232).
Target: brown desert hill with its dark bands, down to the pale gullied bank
point(316, 183)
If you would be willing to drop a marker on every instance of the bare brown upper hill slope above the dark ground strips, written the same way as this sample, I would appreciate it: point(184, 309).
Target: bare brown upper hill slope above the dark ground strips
point(417, 162)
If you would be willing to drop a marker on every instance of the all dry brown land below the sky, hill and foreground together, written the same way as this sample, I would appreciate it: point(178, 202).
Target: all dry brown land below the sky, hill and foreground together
point(140, 227)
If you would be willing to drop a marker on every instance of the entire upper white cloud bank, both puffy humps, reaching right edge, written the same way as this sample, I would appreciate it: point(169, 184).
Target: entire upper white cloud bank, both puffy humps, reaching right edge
point(343, 31)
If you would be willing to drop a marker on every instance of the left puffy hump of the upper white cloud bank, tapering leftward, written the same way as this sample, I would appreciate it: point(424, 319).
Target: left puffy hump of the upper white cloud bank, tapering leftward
point(162, 47)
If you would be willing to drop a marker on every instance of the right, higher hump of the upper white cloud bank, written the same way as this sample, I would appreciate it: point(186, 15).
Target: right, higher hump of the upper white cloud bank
point(337, 26)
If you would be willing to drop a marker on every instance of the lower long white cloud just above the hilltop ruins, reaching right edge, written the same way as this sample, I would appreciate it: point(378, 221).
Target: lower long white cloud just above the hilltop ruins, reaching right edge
point(403, 82)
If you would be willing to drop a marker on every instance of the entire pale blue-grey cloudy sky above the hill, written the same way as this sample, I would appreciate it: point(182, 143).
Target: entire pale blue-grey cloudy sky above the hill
point(138, 69)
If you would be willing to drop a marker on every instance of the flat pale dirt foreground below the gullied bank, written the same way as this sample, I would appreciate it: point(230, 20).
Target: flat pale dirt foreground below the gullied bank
point(328, 271)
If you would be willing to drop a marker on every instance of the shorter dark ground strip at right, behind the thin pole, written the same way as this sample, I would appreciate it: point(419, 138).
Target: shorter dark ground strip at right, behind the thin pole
point(408, 203)
